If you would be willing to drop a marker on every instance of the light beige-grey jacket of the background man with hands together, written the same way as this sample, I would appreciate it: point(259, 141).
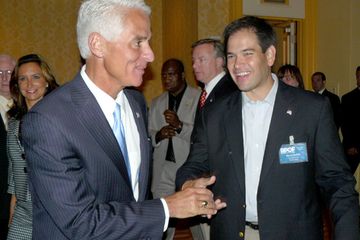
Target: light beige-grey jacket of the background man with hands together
point(181, 142)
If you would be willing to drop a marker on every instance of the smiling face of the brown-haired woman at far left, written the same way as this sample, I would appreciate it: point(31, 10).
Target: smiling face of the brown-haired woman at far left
point(32, 83)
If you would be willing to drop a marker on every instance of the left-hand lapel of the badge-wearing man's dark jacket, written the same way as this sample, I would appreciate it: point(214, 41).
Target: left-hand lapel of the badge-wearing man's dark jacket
point(233, 129)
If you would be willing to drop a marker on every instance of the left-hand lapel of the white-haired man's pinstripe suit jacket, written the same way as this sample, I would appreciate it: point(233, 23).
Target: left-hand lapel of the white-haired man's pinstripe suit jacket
point(93, 119)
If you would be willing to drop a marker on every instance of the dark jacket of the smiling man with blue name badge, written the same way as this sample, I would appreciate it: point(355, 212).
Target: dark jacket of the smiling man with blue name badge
point(288, 195)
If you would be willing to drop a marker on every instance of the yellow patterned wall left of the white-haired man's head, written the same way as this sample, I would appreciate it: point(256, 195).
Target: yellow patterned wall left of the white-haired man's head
point(43, 27)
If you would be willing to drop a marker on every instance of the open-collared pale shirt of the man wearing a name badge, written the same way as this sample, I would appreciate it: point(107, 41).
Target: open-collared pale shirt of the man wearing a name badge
point(256, 116)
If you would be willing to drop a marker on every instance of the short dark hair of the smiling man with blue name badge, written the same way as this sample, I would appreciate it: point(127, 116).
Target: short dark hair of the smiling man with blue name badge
point(263, 30)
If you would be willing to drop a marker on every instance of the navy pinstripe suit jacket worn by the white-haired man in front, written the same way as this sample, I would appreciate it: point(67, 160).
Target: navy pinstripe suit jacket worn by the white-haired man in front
point(78, 178)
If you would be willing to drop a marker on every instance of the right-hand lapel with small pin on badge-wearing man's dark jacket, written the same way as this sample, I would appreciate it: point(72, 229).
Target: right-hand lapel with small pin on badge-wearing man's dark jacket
point(282, 119)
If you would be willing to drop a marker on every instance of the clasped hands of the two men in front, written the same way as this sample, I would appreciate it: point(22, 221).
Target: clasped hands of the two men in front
point(194, 199)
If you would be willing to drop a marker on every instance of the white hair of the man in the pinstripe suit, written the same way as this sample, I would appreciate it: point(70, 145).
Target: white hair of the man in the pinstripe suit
point(105, 17)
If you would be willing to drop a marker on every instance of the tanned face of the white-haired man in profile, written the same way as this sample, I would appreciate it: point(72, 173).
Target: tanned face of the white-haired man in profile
point(125, 58)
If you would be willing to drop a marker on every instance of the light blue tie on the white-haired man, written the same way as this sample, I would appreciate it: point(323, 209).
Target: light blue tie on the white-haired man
point(119, 132)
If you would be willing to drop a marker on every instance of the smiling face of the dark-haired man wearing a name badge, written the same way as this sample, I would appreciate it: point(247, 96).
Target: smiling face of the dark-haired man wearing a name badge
point(249, 67)
